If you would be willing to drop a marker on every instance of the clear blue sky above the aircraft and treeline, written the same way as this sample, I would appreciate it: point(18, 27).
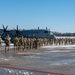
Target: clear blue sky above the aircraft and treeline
point(58, 15)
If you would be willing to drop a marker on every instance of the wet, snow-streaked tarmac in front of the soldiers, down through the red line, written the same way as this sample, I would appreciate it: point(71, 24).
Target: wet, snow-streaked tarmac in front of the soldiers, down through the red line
point(49, 60)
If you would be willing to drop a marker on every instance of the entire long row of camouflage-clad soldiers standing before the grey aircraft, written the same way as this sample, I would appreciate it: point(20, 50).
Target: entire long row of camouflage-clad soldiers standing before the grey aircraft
point(24, 43)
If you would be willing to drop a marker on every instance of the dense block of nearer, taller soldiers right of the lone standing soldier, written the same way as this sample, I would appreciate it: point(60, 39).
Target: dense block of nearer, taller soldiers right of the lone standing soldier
point(22, 43)
